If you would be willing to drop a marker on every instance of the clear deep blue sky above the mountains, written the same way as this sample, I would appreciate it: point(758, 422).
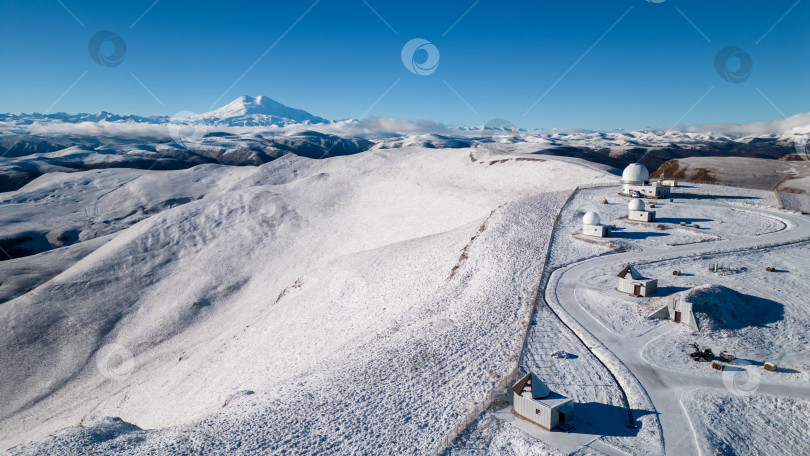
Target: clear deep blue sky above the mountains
point(500, 58)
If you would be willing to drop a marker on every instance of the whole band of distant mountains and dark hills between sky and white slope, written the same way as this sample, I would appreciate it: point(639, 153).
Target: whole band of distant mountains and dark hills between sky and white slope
point(235, 134)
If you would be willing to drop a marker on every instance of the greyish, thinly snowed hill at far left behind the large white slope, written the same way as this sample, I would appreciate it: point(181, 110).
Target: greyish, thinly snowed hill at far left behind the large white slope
point(112, 200)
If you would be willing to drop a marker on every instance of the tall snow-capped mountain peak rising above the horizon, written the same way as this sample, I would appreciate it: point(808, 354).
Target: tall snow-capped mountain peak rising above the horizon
point(261, 110)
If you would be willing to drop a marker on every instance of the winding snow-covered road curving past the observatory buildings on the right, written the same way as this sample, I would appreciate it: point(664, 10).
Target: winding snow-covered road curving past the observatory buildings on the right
point(664, 386)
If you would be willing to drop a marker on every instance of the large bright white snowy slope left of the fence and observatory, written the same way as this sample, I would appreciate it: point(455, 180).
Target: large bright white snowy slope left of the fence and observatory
point(292, 280)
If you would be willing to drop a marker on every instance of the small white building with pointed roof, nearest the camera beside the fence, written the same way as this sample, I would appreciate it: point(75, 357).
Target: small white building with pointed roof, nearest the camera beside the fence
point(543, 407)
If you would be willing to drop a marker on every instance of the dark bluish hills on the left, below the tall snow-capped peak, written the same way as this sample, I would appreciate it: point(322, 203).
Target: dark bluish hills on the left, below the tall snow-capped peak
point(158, 151)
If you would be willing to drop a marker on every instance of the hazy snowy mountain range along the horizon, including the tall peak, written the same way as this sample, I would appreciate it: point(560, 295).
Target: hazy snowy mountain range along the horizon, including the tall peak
point(263, 111)
